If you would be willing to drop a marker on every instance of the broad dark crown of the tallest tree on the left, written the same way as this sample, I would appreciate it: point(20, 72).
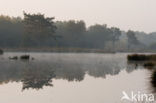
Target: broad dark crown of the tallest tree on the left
point(38, 27)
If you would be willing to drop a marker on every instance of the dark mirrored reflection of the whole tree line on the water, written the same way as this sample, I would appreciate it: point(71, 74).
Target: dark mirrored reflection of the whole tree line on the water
point(40, 72)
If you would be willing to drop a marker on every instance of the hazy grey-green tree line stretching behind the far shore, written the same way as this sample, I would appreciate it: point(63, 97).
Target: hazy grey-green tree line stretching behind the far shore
point(37, 31)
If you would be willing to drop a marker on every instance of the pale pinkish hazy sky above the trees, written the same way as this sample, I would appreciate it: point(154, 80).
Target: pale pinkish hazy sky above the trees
point(138, 15)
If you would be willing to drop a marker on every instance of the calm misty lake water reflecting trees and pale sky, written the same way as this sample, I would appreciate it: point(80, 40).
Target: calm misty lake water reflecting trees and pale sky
point(70, 78)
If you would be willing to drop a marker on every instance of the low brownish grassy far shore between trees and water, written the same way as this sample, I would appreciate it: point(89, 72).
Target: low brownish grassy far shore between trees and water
point(72, 50)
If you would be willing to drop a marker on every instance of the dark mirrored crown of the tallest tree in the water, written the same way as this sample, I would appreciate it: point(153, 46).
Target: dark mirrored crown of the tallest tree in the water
point(37, 78)
